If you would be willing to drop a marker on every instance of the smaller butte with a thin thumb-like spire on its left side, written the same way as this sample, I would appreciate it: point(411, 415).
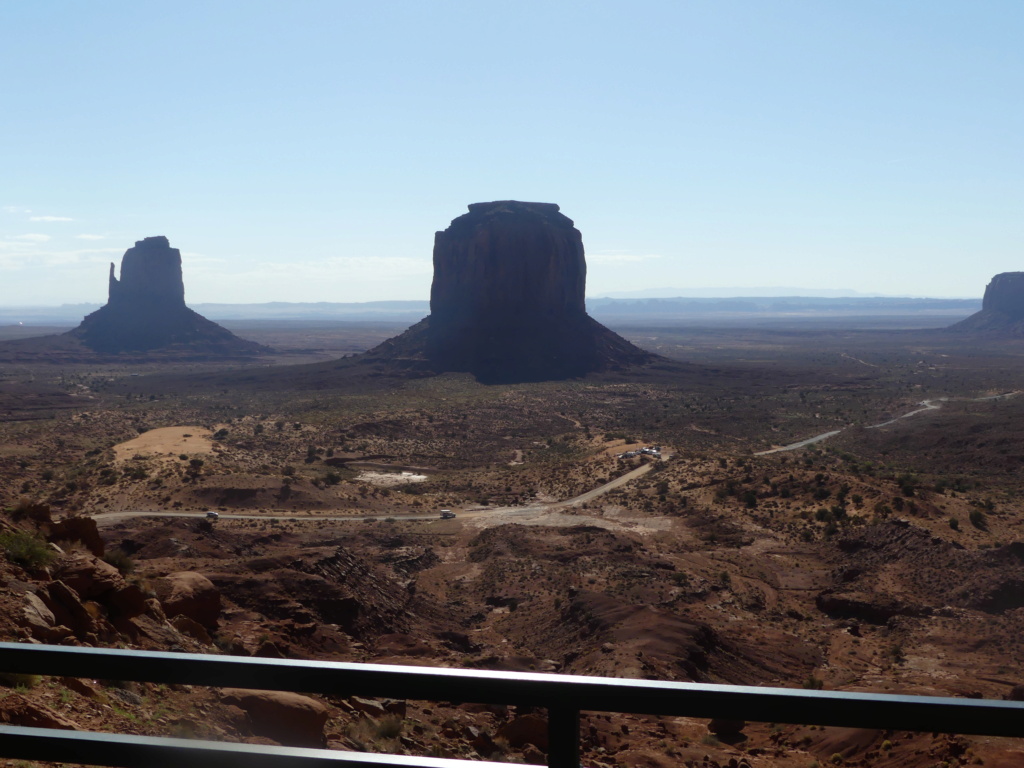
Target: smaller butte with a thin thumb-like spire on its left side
point(146, 311)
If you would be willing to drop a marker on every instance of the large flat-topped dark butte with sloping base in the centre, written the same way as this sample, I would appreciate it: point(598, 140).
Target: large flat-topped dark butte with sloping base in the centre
point(507, 302)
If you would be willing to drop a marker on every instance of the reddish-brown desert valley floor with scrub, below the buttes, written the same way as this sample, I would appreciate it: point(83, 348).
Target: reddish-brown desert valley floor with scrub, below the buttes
point(833, 509)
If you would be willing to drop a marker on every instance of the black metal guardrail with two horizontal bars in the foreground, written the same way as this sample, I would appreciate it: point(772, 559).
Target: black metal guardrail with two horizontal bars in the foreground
point(564, 696)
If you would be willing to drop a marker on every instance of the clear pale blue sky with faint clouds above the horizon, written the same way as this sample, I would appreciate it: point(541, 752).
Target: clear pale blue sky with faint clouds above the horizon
point(309, 151)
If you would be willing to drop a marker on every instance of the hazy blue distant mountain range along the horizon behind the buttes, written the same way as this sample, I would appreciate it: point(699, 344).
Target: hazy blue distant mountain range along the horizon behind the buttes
point(621, 310)
